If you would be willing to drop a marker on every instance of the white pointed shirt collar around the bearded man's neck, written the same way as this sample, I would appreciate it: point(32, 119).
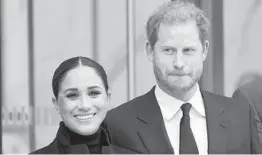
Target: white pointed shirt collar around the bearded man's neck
point(170, 106)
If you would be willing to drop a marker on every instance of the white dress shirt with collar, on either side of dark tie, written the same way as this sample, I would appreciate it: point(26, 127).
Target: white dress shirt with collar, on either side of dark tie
point(172, 114)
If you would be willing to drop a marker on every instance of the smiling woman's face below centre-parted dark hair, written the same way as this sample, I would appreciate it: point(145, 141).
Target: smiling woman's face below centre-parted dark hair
point(82, 100)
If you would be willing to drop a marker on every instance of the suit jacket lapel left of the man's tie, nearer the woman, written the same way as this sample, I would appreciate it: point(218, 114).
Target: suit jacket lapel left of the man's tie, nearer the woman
point(152, 129)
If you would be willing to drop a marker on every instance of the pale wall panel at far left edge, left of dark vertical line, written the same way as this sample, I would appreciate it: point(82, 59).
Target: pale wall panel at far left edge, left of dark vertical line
point(14, 63)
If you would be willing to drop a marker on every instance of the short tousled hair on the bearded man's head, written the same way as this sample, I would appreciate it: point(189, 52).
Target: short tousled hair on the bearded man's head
point(175, 12)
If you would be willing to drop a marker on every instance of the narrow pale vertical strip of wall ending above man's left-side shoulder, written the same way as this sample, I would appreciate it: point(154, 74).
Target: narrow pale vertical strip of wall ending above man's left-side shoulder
point(131, 48)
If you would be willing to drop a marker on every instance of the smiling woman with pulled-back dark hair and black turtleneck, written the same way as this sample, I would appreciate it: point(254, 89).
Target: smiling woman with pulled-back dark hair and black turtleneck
point(81, 97)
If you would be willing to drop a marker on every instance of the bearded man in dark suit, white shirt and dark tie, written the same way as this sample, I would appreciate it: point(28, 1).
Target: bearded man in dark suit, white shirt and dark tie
point(176, 116)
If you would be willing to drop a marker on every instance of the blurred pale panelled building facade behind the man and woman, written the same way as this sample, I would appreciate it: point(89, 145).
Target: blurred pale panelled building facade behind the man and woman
point(37, 35)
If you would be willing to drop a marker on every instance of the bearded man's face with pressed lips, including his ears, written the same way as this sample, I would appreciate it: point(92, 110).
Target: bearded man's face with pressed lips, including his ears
point(178, 56)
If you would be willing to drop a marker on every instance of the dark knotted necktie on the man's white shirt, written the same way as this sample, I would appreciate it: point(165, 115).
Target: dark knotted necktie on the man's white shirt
point(187, 140)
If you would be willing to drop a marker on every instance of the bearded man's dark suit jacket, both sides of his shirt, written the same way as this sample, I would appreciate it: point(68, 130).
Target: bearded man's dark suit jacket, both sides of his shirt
point(138, 126)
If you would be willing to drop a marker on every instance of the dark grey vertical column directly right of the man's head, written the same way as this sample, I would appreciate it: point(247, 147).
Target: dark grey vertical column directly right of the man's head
point(213, 75)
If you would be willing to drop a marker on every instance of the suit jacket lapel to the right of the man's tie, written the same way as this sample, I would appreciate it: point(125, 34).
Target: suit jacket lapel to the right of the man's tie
point(216, 122)
